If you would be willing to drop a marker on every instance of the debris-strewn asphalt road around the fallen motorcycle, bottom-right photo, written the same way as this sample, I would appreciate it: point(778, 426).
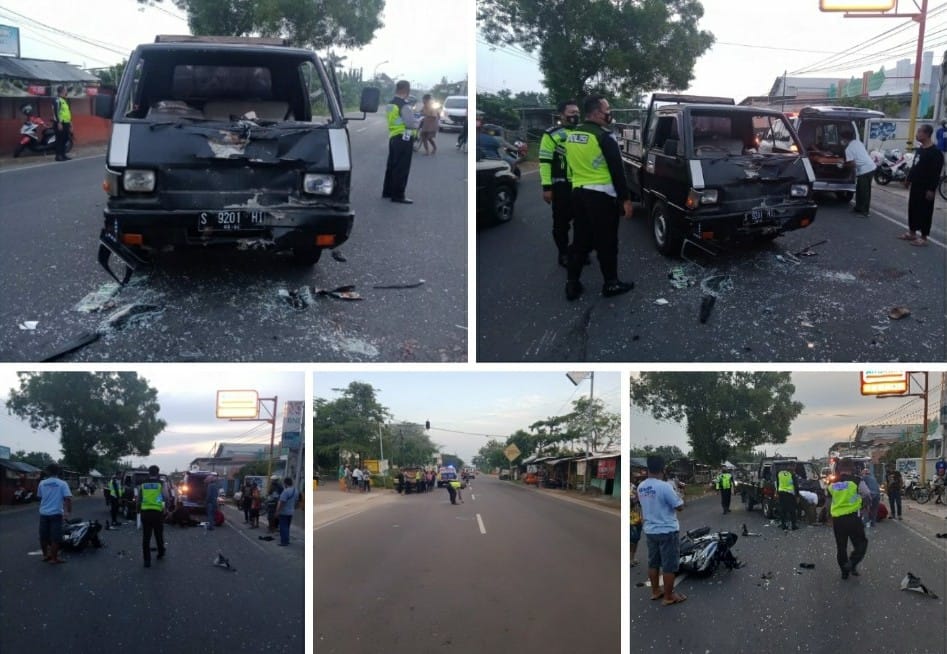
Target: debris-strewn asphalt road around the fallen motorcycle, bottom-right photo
point(796, 609)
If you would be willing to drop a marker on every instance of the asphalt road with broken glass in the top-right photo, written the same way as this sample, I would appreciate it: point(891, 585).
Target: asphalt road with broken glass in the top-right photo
point(819, 294)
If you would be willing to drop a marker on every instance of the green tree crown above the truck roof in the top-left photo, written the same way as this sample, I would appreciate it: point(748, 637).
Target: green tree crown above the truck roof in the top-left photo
point(318, 24)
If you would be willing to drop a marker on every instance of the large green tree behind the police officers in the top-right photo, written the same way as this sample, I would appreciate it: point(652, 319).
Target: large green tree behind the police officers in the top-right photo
point(614, 47)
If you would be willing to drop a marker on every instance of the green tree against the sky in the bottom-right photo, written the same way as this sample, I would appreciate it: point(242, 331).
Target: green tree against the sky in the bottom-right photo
point(722, 410)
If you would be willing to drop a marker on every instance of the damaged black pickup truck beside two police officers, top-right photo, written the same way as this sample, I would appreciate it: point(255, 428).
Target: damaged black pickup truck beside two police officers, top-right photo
point(703, 172)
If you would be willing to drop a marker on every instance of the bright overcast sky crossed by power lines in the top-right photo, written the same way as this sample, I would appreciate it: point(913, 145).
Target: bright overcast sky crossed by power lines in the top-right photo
point(755, 42)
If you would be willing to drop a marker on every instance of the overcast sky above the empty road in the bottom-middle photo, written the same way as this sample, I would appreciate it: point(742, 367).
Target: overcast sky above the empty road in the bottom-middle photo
point(483, 405)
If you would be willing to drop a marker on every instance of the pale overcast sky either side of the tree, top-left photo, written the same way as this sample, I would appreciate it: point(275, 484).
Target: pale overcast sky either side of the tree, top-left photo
point(422, 40)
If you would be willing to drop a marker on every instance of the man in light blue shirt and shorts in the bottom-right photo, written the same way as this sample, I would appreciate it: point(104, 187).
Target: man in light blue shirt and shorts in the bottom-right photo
point(659, 506)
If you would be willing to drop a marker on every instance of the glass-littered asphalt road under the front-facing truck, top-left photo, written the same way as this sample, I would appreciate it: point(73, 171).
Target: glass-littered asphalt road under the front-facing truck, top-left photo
point(222, 305)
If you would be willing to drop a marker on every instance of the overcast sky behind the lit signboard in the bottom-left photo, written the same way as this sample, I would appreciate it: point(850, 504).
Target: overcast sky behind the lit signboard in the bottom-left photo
point(187, 395)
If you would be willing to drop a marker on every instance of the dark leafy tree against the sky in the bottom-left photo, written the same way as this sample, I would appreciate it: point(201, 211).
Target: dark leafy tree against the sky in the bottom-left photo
point(101, 416)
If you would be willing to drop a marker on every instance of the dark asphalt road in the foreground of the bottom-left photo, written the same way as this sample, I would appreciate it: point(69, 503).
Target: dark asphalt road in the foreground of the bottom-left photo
point(105, 600)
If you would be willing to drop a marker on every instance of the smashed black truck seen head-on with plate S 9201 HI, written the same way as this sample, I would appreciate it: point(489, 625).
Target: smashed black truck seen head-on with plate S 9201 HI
point(215, 143)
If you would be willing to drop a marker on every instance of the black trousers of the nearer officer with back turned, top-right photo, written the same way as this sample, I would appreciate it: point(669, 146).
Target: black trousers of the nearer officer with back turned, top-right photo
point(595, 227)
